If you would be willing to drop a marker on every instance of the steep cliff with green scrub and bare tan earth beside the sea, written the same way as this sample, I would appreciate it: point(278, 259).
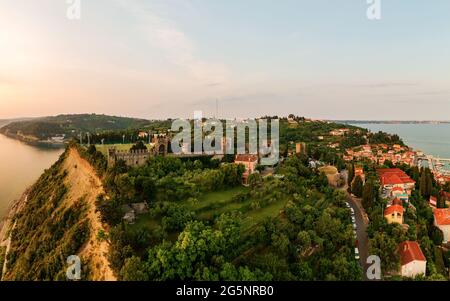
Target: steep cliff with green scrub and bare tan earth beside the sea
point(59, 220)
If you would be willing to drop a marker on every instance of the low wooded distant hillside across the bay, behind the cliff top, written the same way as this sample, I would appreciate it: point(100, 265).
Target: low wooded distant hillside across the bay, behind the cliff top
point(40, 129)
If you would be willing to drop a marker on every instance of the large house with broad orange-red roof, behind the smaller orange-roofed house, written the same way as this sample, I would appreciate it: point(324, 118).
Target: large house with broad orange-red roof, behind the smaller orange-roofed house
point(395, 177)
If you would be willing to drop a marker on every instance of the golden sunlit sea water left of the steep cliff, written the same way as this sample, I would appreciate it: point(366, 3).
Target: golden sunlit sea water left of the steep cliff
point(20, 166)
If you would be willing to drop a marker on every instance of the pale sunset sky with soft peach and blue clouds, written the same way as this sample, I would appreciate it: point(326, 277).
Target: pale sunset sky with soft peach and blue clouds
point(321, 59)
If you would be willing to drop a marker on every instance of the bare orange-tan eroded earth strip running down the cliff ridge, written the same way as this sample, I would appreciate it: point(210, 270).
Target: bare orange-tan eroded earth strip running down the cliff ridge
point(83, 182)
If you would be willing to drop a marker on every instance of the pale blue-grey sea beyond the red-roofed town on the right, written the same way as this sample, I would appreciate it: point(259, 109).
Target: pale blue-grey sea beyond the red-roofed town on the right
point(432, 139)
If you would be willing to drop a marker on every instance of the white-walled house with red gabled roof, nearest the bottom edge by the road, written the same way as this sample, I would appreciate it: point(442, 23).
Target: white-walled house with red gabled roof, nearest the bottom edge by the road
point(413, 262)
